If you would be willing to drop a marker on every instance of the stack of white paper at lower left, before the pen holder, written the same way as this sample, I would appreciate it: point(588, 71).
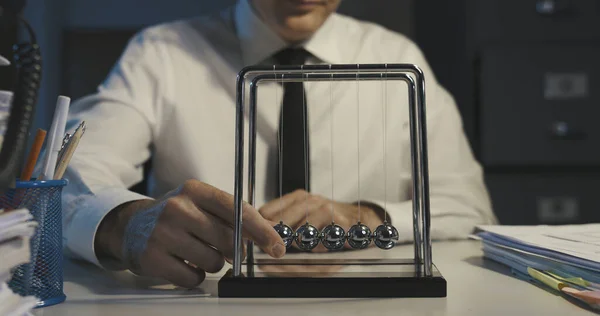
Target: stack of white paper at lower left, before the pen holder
point(16, 229)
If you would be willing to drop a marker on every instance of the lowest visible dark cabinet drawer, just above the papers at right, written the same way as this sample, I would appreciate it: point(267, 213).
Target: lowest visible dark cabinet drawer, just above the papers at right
point(545, 199)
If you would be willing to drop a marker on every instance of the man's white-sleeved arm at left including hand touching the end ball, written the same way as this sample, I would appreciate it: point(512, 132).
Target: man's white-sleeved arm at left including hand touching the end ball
point(180, 236)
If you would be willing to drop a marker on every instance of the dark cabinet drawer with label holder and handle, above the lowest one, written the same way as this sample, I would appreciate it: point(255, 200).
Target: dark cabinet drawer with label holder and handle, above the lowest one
point(540, 106)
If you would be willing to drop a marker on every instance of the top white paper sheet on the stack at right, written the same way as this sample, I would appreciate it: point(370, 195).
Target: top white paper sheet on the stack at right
point(581, 241)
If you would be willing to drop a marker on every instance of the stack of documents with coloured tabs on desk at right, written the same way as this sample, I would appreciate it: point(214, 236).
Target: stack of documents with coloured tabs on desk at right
point(563, 259)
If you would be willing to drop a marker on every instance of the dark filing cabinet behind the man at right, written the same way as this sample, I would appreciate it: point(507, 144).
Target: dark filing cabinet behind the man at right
point(526, 76)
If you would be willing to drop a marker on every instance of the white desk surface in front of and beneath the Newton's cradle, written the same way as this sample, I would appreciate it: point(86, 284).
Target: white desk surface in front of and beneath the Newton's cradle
point(475, 287)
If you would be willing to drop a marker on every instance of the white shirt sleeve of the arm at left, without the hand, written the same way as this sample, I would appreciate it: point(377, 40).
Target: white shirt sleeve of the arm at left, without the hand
point(121, 124)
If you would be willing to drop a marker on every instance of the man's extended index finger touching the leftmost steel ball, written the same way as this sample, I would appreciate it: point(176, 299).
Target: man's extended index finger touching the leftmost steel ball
point(221, 204)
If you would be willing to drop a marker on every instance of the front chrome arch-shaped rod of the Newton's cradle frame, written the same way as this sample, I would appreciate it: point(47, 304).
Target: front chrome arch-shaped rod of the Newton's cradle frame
point(349, 72)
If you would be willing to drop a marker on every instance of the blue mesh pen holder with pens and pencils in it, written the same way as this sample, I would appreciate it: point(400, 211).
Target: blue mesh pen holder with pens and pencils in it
point(42, 277)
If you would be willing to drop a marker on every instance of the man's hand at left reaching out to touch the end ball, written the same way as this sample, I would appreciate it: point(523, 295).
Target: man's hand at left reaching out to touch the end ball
point(192, 234)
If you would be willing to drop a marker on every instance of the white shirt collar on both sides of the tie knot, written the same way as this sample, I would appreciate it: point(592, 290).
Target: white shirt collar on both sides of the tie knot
point(258, 42)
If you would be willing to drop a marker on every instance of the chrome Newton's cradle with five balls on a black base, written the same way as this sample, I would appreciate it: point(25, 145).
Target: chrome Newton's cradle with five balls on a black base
point(385, 277)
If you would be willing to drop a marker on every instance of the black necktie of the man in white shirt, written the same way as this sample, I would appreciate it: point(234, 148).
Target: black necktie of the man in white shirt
point(293, 129)
